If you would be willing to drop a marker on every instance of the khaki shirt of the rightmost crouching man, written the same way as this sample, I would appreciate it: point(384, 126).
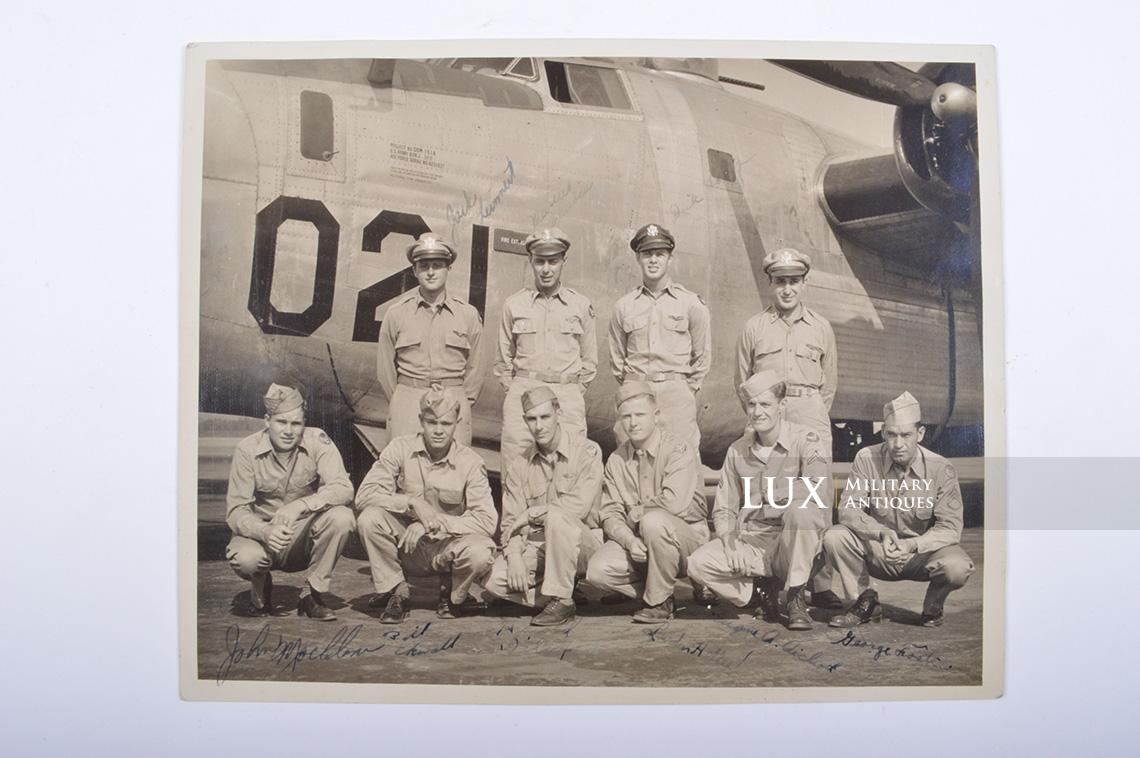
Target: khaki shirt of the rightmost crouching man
point(931, 510)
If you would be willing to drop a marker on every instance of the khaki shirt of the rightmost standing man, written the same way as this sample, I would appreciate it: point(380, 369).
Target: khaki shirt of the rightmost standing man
point(802, 349)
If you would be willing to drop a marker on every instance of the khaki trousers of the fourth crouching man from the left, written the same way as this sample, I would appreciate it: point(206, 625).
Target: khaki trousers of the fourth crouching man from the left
point(670, 542)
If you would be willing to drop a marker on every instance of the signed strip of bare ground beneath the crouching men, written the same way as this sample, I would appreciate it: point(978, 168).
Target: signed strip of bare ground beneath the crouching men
point(721, 647)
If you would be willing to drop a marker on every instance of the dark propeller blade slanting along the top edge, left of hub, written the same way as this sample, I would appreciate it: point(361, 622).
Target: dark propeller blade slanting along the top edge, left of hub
point(884, 83)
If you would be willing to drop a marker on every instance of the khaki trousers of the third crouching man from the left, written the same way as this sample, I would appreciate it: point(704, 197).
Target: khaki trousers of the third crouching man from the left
point(560, 552)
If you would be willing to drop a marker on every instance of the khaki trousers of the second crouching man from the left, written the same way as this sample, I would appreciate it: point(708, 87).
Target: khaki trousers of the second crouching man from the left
point(467, 557)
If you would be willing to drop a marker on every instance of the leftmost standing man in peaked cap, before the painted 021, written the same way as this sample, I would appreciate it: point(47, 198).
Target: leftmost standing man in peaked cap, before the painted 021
point(429, 338)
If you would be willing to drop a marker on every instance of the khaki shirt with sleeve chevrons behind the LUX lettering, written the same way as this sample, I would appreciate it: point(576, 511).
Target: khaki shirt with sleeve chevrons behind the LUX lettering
point(799, 453)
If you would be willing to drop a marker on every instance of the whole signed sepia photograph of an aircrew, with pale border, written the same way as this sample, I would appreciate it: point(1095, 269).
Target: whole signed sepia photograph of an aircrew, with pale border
point(657, 378)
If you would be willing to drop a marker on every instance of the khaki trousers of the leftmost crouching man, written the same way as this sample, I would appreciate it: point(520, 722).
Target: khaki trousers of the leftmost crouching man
point(317, 543)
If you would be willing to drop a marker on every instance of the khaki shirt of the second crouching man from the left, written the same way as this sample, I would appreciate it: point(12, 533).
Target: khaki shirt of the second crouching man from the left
point(457, 485)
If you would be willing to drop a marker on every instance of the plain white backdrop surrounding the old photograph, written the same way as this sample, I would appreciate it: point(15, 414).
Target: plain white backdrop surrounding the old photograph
point(91, 207)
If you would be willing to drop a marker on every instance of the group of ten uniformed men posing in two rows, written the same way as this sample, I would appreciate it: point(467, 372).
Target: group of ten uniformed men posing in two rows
point(631, 526)
